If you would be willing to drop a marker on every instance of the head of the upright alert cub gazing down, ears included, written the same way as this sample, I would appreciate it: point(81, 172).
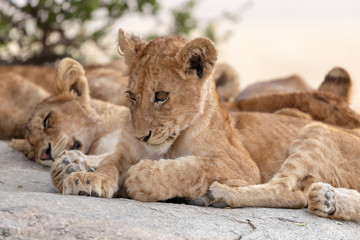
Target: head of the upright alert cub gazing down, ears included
point(170, 80)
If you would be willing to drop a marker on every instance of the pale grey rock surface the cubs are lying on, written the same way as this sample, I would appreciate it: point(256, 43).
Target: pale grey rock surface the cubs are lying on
point(31, 209)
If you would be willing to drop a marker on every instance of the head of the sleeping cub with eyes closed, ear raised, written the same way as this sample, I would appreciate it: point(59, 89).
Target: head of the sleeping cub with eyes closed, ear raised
point(61, 121)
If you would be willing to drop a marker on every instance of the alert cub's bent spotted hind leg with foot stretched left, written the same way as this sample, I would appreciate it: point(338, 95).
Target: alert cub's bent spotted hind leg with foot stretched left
point(287, 188)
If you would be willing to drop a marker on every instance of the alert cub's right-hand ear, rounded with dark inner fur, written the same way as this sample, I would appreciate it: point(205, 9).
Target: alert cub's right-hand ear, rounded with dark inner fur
point(198, 57)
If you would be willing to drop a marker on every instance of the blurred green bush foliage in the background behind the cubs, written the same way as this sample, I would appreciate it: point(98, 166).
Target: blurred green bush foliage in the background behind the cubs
point(39, 32)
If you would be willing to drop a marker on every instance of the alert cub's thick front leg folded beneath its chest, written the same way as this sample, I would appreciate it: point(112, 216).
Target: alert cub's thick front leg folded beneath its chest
point(151, 180)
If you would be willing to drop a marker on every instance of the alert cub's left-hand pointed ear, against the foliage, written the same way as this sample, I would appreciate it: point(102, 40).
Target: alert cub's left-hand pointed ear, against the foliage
point(129, 45)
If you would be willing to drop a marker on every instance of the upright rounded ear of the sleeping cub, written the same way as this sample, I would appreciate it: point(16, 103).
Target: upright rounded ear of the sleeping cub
point(70, 78)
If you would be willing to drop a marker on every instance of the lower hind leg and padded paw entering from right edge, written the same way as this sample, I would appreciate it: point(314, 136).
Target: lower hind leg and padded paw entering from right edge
point(327, 201)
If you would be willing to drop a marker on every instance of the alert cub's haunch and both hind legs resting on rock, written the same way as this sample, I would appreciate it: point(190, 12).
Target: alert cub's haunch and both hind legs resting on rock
point(320, 154)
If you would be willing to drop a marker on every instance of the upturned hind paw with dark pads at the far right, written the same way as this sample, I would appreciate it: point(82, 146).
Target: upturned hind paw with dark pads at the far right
point(321, 200)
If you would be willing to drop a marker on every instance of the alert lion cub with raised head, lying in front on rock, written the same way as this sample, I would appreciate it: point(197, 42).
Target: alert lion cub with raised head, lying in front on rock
point(179, 141)
